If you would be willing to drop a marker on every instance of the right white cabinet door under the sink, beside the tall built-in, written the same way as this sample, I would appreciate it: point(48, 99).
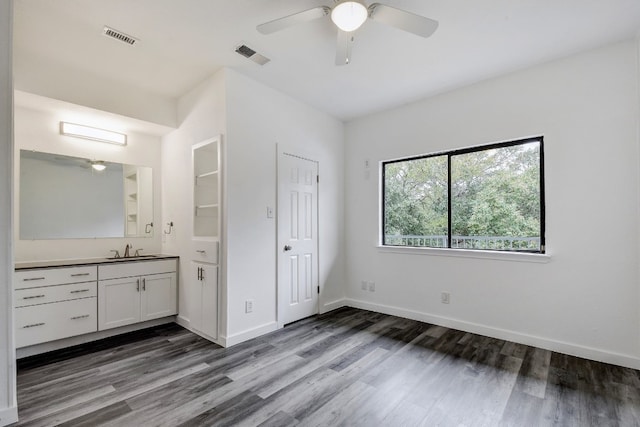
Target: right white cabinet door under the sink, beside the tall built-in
point(158, 297)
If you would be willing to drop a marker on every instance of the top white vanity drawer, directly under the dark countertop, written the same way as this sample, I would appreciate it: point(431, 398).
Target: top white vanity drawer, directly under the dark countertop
point(24, 279)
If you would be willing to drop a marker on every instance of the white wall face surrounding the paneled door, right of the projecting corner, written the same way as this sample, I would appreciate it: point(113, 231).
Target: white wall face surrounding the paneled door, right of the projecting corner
point(258, 118)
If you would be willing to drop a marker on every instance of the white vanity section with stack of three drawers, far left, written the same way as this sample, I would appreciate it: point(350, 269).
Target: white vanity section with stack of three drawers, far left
point(54, 303)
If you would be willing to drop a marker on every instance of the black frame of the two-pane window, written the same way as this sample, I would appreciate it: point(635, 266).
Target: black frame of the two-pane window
point(456, 152)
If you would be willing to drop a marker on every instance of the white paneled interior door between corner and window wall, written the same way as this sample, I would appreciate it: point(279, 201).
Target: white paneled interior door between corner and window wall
point(297, 238)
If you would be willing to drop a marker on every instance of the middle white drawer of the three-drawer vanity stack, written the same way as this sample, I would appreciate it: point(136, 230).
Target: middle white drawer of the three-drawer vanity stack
point(49, 294)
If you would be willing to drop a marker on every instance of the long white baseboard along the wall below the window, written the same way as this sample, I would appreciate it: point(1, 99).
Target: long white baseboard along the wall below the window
point(504, 334)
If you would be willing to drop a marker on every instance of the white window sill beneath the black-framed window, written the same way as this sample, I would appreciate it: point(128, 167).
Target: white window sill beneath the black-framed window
point(468, 253)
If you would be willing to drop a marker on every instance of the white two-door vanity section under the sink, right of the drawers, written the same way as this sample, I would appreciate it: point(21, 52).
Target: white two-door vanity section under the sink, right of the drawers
point(132, 292)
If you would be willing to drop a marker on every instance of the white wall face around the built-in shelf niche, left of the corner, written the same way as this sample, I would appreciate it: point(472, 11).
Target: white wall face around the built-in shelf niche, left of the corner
point(201, 116)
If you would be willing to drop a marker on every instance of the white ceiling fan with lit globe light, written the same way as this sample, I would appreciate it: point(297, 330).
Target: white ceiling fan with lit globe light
point(348, 16)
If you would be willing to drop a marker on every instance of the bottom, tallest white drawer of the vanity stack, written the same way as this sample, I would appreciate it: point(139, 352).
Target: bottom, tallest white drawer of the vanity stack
point(48, 322)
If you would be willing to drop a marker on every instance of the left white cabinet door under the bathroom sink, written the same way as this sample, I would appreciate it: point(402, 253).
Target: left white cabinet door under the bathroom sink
point(118, 302)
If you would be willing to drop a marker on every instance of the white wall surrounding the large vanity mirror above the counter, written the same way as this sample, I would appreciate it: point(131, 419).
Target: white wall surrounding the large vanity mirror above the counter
point(39, 130)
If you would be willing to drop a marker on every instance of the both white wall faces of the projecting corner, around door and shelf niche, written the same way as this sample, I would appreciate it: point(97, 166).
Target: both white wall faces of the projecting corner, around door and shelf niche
point(253, 119)
